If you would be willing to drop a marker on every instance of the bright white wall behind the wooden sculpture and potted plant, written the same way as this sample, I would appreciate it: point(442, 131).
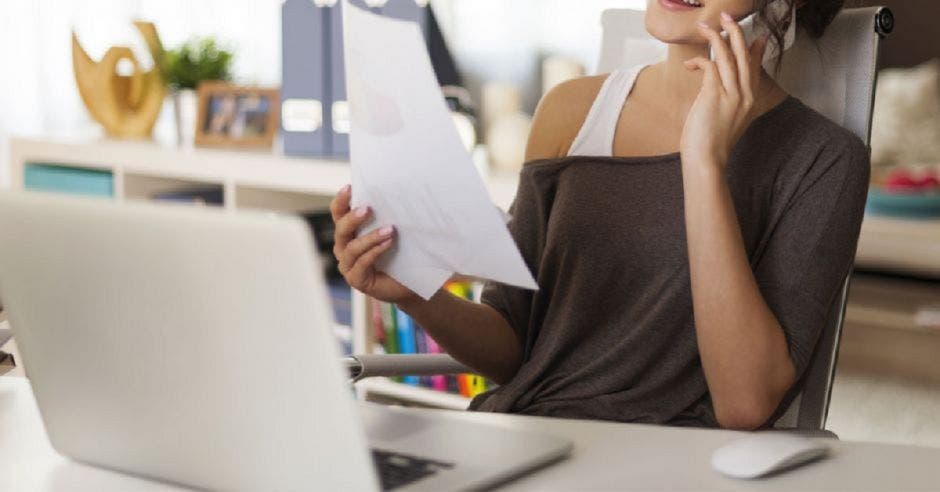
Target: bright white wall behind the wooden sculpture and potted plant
point(37, 87)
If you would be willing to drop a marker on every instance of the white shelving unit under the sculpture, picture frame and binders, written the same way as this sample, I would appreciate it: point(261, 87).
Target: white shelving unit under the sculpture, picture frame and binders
point(250, 180)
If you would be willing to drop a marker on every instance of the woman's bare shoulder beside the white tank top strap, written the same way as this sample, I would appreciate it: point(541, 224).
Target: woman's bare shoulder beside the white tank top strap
point(559, 117)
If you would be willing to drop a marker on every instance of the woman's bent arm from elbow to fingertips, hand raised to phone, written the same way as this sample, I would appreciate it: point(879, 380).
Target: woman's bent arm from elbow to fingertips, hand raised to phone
point(743, 347)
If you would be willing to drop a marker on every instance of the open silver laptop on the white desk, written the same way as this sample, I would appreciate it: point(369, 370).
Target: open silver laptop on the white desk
point(195, 346)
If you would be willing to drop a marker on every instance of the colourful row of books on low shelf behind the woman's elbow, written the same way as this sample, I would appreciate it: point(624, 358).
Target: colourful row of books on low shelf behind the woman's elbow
point(394, 332)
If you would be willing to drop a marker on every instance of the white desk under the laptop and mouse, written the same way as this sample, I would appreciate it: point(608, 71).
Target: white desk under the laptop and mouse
point(606, 456)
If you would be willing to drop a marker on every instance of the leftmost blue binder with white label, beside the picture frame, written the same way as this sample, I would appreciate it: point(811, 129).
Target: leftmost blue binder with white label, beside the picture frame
point(305, 84)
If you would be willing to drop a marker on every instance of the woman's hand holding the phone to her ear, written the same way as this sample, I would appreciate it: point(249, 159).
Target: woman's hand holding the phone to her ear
point(724, 106)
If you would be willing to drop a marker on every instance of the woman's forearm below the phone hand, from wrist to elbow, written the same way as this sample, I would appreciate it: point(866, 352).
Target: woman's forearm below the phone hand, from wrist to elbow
point(743, 348)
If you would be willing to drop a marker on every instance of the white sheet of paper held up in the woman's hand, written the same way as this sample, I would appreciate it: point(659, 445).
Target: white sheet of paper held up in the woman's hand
point(409, 164)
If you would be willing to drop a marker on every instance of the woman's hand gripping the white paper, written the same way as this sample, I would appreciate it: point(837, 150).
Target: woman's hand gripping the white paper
point(357, 255)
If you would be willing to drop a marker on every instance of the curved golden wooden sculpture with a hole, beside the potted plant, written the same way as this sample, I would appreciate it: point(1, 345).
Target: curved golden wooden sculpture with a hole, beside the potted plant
point(127, 106)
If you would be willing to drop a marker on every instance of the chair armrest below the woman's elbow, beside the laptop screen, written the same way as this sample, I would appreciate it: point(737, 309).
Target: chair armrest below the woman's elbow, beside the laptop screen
point(369, 366)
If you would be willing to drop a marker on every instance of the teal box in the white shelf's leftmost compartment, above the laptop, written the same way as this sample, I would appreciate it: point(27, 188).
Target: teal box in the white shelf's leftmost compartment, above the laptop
point(68, 180)
